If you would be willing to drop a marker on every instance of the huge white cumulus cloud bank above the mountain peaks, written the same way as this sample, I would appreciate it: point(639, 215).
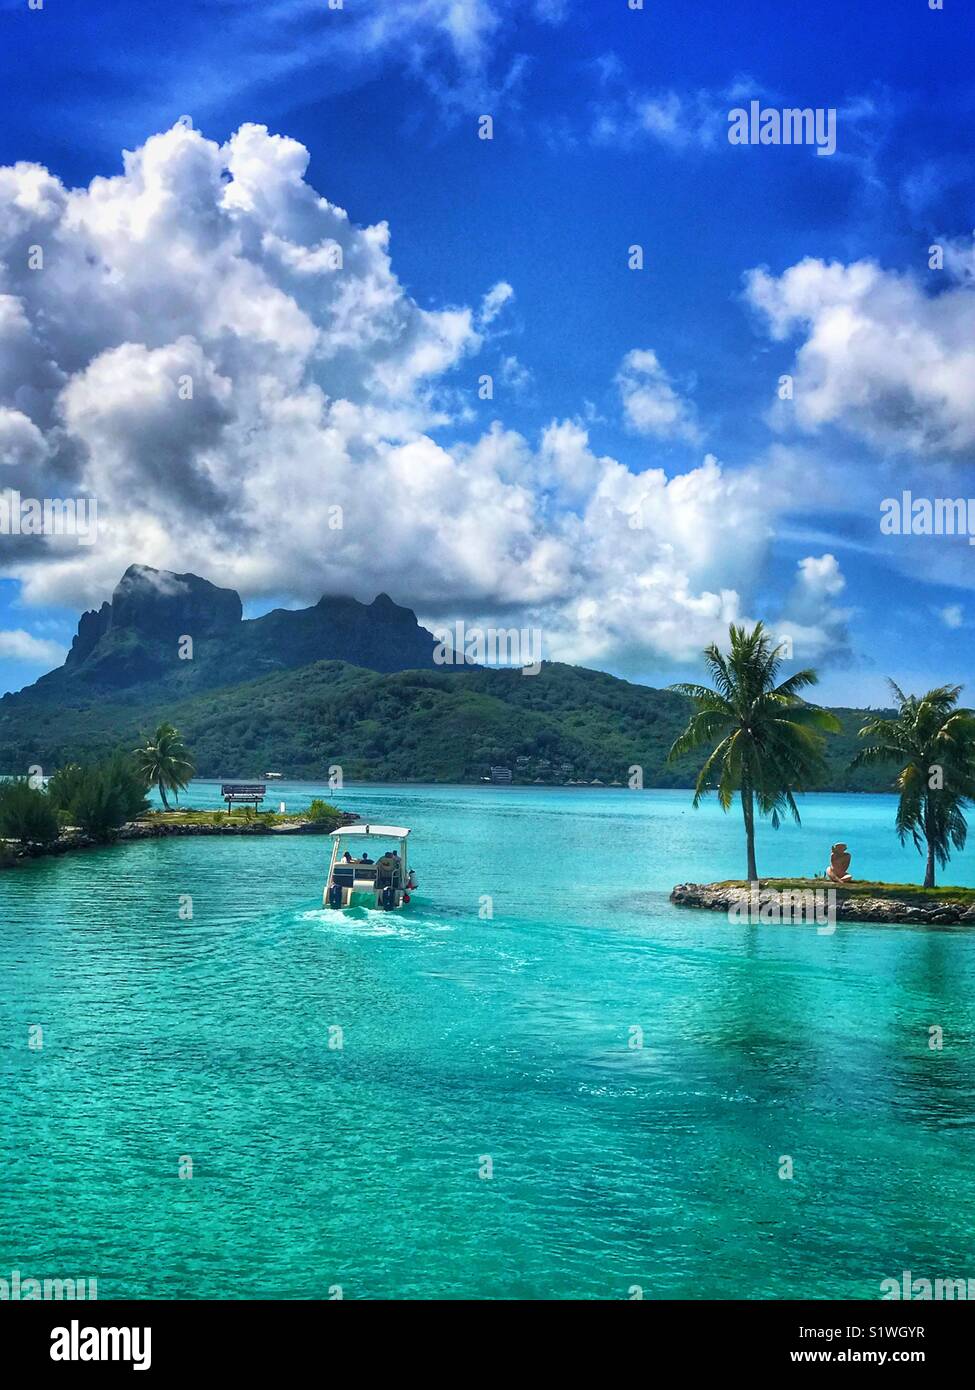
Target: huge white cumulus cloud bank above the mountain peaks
point(229, 363)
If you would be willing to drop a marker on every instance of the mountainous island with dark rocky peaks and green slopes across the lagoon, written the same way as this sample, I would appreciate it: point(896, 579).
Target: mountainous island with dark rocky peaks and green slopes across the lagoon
point(341, 683)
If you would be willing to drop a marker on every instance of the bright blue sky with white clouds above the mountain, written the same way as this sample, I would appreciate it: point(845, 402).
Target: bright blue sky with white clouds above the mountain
point(610, 130)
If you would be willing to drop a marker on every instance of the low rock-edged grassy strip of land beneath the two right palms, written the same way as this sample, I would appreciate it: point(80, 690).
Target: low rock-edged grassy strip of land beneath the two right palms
point(852, 904)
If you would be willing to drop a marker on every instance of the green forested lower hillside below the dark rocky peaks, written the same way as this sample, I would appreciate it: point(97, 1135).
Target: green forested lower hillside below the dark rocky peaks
point(567, 723)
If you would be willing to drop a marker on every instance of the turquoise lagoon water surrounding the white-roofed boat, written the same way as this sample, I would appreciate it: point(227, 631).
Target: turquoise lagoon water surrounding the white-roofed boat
point(471, 1038)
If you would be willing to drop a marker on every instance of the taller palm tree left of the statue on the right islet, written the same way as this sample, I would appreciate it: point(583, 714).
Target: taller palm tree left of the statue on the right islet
point(768, 740)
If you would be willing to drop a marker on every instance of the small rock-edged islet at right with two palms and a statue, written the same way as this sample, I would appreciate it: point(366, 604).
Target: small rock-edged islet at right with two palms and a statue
point(768, 746)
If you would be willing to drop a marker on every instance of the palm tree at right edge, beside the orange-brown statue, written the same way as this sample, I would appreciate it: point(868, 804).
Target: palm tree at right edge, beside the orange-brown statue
point(935, 743)
